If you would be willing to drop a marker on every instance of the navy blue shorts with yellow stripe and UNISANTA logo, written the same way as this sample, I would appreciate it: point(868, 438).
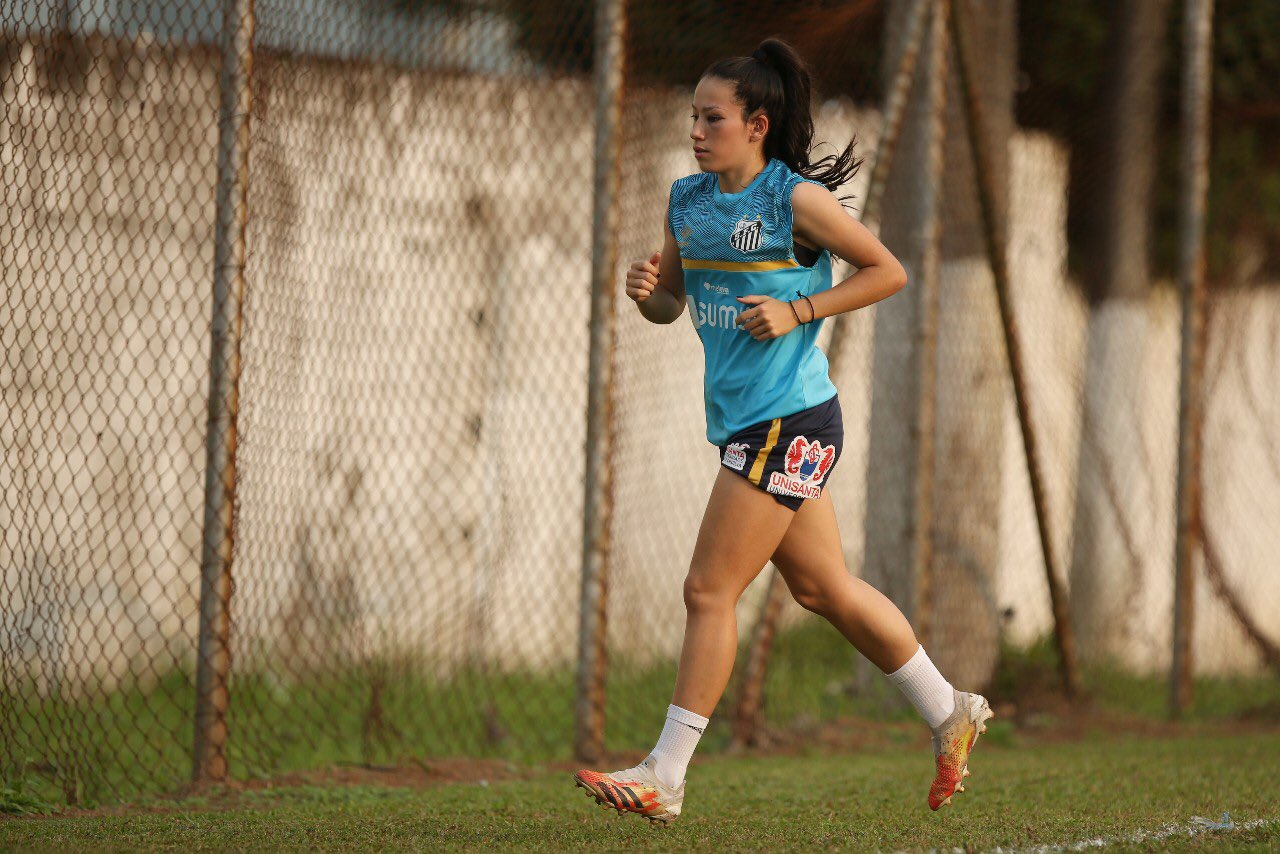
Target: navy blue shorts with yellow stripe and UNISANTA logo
point(789, 458)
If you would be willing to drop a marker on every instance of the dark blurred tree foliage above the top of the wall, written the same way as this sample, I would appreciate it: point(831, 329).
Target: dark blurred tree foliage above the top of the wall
point(1063, 77)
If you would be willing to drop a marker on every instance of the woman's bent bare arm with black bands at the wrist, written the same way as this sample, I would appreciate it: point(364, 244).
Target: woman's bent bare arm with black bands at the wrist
point(821, 221)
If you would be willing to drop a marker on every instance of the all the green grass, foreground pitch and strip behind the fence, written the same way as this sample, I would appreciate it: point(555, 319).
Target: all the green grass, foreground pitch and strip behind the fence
point(847, 769)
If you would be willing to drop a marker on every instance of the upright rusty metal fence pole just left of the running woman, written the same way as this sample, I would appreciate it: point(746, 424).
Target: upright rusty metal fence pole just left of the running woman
point(592, 663)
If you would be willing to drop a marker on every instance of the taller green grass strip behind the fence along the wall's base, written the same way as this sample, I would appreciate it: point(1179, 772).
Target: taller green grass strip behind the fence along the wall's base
point(136, 742)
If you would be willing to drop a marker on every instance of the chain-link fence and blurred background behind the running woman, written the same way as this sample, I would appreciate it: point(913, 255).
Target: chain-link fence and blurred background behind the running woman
point(404, 254)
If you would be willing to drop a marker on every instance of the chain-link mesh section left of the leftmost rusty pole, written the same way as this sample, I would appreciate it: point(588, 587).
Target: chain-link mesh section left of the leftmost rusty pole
point(108, 171)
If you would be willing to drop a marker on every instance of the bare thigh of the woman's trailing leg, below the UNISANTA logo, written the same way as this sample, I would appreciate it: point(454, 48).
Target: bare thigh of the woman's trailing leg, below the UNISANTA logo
point(810, 556)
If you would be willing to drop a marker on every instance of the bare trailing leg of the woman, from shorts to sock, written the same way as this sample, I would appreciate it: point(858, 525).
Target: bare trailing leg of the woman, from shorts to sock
point(812, 563)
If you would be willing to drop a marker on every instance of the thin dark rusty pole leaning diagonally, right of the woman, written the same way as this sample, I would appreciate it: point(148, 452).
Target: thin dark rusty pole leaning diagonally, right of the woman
point(998, 249)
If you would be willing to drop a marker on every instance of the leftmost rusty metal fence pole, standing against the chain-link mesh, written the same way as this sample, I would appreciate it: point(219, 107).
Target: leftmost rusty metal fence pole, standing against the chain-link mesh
point(213, 659)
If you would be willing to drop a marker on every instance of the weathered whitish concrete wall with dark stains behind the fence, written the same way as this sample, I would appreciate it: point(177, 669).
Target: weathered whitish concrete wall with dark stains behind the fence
point(414, 390)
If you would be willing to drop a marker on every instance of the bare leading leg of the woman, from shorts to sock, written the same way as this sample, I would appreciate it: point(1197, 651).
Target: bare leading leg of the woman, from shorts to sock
point(742, 528)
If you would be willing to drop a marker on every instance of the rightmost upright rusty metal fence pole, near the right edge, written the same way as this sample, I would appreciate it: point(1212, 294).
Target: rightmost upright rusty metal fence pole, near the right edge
point(1197, 75)
